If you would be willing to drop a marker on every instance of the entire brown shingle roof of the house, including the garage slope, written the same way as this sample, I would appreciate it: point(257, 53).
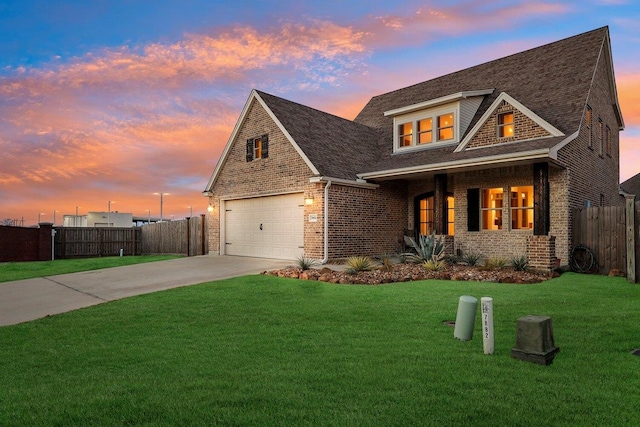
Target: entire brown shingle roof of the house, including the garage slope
point(551, 80)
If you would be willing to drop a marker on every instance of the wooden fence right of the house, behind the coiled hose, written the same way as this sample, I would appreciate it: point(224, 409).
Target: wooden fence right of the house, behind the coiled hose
point(612, 235)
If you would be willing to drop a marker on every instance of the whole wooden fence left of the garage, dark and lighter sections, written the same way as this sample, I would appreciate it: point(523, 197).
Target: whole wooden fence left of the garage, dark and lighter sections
point(185, 237)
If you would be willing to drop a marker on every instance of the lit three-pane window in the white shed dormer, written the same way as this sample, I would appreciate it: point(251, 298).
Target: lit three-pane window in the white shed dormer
point(422, 129)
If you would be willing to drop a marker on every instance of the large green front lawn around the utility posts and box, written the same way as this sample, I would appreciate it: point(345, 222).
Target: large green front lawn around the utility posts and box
point(260, 350)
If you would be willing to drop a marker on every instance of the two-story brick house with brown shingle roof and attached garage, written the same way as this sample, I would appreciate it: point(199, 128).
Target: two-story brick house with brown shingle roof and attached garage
point(495, 157)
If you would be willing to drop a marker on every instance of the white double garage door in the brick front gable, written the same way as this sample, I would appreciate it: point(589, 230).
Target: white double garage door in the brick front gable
point(267, 227)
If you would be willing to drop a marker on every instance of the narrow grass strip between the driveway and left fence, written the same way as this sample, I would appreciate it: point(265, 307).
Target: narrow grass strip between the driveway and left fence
point(28, 270)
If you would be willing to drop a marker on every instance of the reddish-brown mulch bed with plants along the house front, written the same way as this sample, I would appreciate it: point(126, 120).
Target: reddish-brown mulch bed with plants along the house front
point(411, 272)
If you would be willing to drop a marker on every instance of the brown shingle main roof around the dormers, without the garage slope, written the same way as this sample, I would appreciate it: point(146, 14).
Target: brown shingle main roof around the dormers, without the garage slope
point(552, 80)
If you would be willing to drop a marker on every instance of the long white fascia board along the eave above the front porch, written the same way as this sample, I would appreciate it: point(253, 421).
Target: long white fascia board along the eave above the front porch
point(460, 164)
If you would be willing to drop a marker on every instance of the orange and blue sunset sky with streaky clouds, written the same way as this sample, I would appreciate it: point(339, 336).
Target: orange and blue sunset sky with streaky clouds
point(116, 100)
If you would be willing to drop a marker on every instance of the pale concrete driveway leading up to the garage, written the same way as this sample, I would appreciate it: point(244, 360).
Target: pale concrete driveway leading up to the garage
point(25, 300)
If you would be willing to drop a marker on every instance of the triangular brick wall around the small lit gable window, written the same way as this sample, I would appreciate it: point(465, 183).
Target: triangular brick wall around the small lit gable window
point(524, 128)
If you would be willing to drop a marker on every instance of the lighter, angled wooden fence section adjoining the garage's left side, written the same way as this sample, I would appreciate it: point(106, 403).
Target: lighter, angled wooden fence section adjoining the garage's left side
point(186, 237)
